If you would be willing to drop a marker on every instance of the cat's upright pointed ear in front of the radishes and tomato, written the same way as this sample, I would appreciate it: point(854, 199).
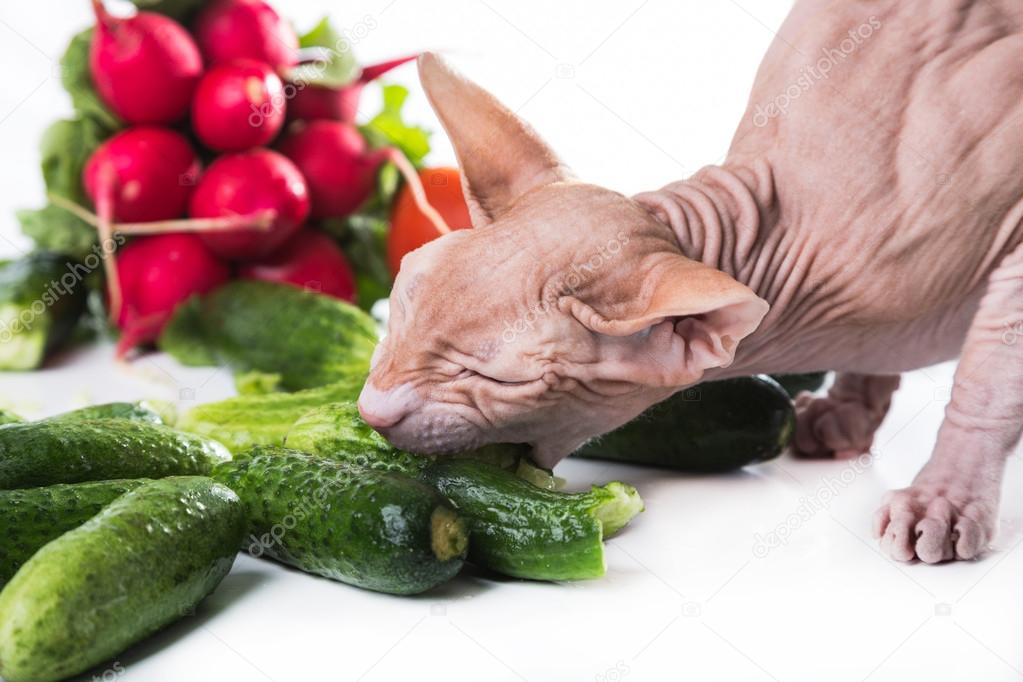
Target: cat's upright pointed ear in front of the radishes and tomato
point(502, 158)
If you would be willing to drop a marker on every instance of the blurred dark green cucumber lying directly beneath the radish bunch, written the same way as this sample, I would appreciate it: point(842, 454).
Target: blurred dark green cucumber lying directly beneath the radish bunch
point(307, 339)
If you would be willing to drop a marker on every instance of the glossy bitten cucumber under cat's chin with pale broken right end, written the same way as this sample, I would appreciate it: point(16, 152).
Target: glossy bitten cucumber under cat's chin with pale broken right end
point(523, 531)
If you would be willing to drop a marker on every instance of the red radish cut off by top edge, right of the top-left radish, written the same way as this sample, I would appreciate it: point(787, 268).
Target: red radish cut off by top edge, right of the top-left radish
point(246, 30)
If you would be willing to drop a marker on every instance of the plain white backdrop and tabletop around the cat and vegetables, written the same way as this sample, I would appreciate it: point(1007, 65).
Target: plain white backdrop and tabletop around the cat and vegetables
point(647, 93)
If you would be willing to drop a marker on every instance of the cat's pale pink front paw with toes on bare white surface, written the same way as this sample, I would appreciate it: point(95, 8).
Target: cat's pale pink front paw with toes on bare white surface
point(937, 523)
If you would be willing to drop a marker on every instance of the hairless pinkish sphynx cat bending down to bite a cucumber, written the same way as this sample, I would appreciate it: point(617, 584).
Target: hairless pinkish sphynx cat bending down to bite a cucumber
point(867, 220)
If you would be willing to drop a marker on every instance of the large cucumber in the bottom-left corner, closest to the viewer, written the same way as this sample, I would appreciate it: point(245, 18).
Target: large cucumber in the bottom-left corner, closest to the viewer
point(143, 563)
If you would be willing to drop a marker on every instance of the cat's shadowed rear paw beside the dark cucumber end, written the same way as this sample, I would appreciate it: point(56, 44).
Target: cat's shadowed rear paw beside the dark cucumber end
point(830, 428)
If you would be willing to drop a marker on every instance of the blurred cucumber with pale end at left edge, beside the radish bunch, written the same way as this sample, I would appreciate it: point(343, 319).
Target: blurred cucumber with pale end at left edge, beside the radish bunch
point(42, 297)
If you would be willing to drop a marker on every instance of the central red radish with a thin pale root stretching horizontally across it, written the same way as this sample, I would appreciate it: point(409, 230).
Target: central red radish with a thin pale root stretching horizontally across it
point(251, 184)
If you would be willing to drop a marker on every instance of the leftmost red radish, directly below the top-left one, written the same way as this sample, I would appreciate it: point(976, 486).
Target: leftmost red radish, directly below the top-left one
point(147, 173)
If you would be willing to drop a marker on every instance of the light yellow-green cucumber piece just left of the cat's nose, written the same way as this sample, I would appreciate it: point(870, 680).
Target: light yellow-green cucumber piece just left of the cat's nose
point(248, 421)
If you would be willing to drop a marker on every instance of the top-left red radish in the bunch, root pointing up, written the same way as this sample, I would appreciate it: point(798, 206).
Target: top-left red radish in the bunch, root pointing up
point(145, 67)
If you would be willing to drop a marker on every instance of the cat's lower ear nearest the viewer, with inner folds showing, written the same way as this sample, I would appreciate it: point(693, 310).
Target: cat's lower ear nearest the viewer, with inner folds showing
point(669, 325)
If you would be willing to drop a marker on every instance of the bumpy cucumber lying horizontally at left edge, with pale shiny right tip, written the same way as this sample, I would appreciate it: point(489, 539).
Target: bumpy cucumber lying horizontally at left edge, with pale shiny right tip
point(45, 453)
